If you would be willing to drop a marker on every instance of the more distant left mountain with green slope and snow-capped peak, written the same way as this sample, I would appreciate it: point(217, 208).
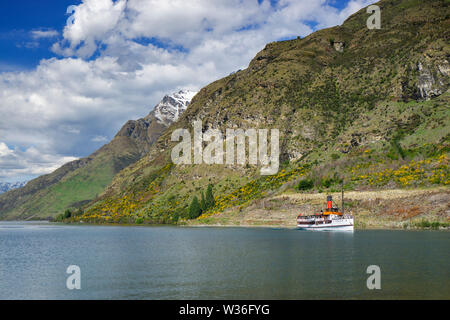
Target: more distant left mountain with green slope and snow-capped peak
point(78, 182)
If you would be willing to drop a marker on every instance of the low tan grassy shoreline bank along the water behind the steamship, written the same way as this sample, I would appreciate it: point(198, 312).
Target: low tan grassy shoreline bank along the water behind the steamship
point(388, 209)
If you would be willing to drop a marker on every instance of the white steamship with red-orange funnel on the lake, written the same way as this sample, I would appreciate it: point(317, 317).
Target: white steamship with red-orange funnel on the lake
point(330, 219)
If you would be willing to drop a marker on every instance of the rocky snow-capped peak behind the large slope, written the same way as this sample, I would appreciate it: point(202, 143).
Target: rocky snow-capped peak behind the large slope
point(172, 106)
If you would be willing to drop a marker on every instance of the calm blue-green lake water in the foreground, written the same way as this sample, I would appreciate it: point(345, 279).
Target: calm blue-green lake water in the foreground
point(220, 263)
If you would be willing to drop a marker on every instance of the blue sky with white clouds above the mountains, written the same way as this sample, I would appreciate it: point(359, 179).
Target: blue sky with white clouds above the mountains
point(67, 88)
